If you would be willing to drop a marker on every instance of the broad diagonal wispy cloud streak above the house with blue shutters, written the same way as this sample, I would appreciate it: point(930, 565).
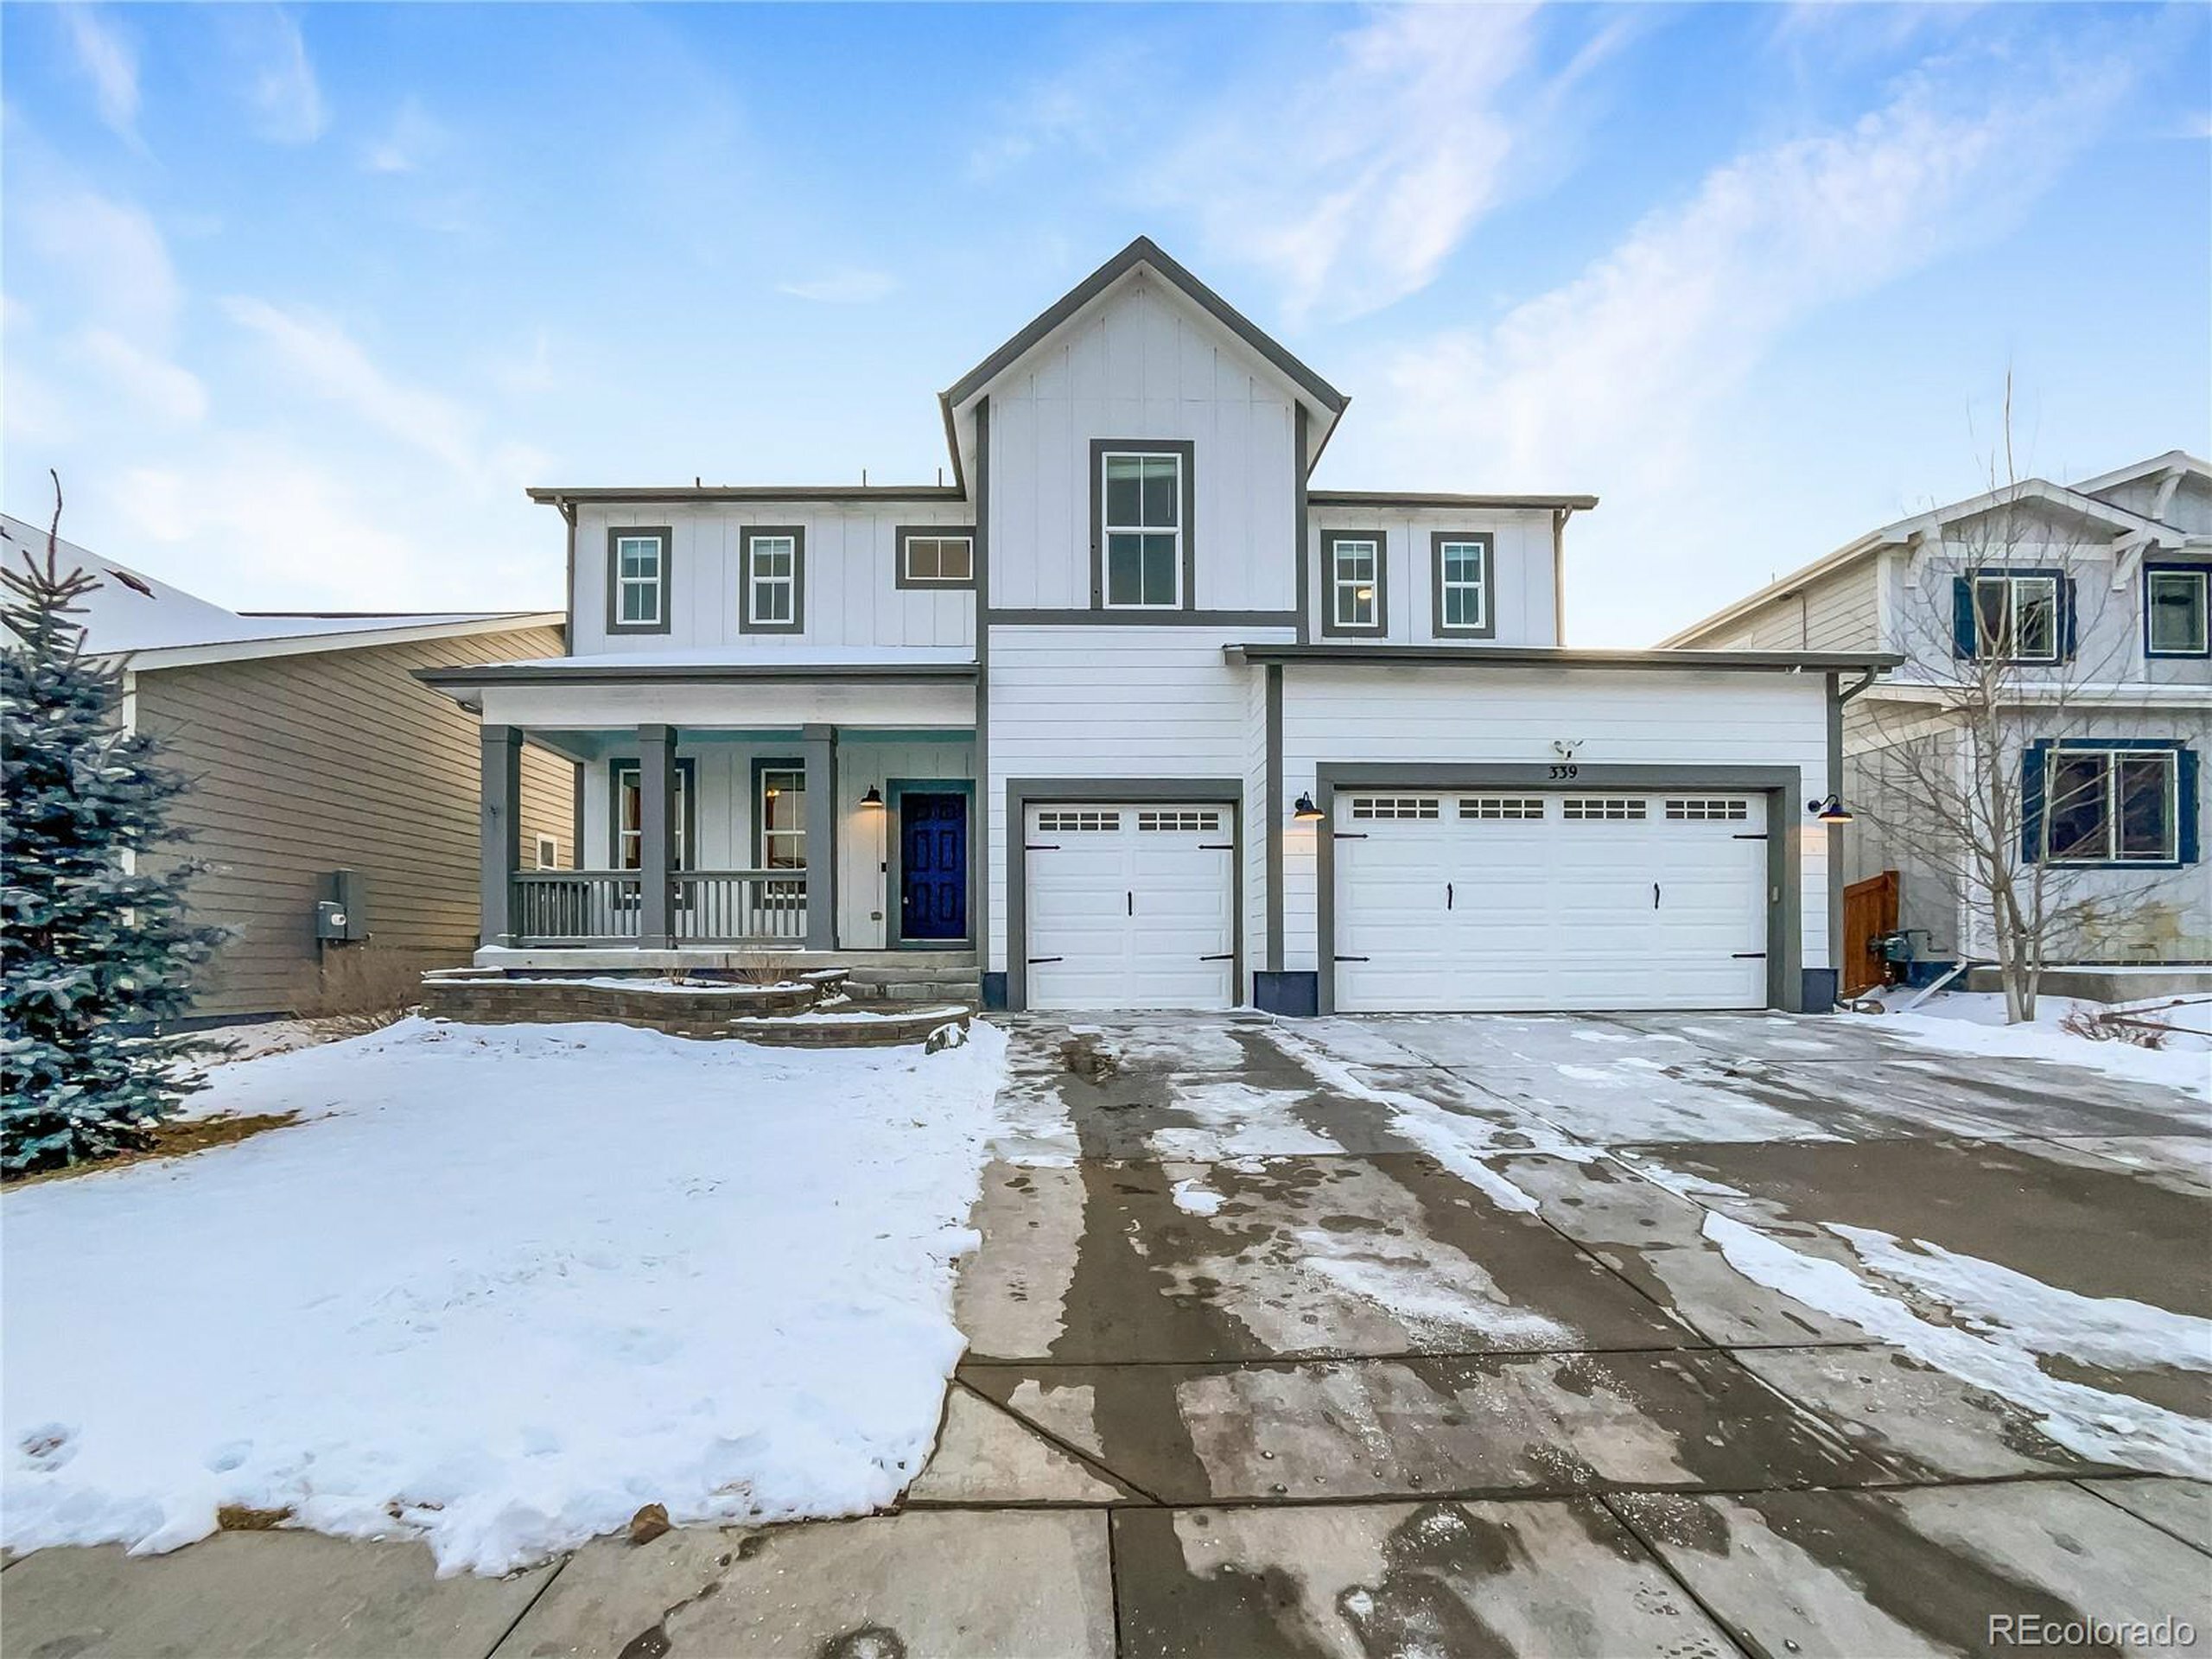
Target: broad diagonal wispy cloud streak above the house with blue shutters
point(1611, 373)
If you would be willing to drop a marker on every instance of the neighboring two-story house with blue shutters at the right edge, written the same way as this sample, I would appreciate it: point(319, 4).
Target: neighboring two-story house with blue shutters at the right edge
point(2076, 620)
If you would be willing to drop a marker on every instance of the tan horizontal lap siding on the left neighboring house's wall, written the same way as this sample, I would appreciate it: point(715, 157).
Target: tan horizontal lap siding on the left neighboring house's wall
point(337, 762)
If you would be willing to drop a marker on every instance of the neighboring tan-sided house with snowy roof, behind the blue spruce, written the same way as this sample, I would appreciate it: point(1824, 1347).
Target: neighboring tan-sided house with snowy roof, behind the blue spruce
point(313, 751)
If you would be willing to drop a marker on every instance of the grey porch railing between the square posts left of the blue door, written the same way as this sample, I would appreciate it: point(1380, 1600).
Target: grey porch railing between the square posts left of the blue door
point(556, 908)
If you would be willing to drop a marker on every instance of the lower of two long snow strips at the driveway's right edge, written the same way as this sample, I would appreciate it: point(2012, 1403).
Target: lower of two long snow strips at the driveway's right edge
point(2094, 1423)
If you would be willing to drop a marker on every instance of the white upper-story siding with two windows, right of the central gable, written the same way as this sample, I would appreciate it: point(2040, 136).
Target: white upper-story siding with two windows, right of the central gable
point(1523, 592)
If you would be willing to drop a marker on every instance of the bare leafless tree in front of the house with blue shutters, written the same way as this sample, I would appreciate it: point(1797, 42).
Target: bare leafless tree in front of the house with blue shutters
point(1996, 760)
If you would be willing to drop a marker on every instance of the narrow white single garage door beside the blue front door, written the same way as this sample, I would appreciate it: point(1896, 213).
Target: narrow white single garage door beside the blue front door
point(1129, 906)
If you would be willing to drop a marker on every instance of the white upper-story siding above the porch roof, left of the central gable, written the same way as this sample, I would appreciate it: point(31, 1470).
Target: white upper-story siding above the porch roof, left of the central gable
point(851, 589)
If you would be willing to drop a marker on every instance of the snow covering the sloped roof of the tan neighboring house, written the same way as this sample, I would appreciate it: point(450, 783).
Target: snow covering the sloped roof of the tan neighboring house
point(136, 614)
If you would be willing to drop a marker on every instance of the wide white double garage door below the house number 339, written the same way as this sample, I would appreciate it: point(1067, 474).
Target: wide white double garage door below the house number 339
point(1592, 901)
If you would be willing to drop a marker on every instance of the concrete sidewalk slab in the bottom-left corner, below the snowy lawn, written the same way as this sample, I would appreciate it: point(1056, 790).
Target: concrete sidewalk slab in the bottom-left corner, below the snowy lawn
point(258, 1596)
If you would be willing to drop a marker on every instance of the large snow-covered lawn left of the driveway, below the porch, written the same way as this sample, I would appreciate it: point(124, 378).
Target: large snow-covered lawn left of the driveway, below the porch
point(501, 1288)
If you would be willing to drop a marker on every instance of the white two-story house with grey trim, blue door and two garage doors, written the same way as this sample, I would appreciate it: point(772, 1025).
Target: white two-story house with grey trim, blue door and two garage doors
point(1131, 718)
